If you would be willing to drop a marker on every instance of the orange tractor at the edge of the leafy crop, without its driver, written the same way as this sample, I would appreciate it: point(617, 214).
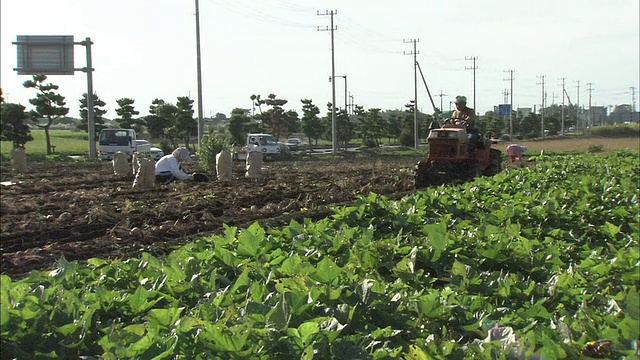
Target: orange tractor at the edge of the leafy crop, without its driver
point(450, 159)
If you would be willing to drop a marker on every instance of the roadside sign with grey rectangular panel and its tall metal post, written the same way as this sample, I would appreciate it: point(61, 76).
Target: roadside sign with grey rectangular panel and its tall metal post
point(53, 55)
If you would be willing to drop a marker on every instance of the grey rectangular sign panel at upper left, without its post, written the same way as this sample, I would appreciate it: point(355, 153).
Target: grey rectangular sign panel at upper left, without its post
point(45, 54)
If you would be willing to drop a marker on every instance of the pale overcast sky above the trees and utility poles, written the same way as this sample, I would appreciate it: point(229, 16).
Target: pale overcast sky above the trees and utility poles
point(146, 49)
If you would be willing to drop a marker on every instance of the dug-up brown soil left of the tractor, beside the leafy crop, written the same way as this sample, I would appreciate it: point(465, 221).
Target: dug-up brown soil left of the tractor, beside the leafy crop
point(81, 210)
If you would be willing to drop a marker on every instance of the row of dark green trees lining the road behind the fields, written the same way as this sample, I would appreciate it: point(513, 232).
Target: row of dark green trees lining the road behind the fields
point(175, 123)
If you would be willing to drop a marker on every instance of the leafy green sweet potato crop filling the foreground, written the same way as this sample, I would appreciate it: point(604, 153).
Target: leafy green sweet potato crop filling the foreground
point(537, 262)
